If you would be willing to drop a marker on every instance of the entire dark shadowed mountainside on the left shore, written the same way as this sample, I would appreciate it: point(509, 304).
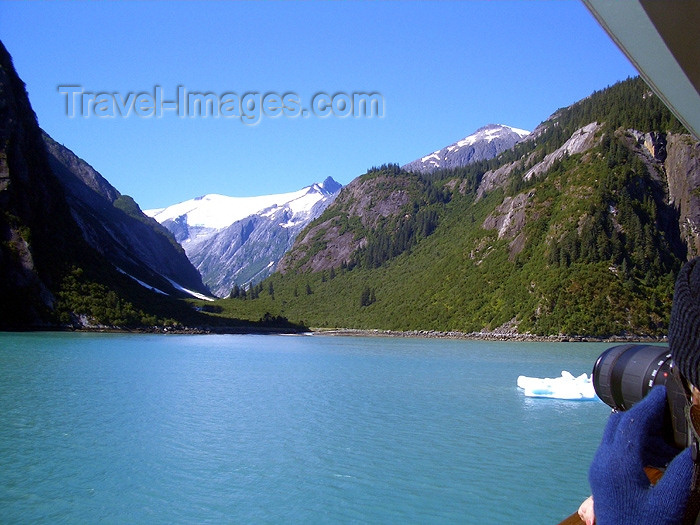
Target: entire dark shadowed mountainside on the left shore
point(63, 229)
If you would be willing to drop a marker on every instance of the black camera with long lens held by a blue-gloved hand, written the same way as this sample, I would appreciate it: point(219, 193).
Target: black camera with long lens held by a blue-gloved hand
point(624, 374)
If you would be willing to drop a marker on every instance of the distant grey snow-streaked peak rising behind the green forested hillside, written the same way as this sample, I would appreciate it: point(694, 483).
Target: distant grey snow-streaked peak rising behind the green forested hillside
point(485, 143)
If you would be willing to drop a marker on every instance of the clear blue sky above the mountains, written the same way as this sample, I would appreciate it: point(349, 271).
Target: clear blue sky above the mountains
point(443, 69)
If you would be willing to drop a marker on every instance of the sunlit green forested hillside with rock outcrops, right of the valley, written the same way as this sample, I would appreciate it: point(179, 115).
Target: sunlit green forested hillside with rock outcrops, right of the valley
point(580, 229)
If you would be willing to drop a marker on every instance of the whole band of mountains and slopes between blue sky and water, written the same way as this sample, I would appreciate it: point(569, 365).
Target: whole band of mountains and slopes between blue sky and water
point(574, 229)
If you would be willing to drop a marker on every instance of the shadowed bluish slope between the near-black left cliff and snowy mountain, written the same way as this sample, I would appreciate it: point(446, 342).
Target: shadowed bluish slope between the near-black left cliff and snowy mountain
point(114, 225)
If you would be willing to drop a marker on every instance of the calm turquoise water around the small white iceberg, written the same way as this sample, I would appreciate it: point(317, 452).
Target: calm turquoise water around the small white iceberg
point(288, 429)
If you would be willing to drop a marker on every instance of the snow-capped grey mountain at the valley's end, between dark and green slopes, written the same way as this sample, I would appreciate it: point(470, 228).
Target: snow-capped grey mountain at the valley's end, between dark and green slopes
point(240, 240)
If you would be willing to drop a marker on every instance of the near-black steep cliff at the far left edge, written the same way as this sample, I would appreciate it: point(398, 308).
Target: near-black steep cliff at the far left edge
point(36, 231)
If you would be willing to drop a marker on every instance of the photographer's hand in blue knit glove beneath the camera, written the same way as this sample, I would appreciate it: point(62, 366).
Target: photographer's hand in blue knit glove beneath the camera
point(621, 490)
